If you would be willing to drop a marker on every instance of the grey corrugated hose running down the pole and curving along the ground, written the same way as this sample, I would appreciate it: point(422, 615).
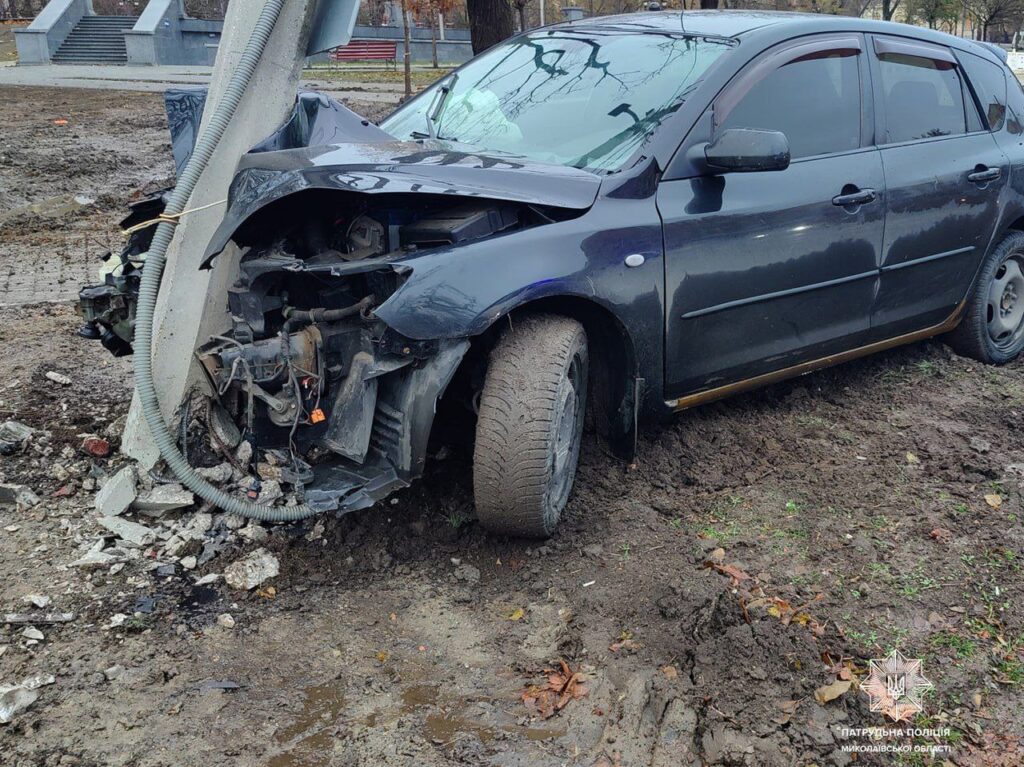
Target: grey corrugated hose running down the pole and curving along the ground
point(154, 270)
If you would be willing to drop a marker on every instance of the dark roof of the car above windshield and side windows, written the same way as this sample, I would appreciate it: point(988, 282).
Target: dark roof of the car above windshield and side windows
point(740, 24)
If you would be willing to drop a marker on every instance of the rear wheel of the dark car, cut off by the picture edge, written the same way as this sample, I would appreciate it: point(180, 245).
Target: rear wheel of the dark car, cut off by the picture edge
point(993, 328)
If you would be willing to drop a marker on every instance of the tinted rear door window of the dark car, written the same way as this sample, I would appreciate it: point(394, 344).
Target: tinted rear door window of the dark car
point(923, 98)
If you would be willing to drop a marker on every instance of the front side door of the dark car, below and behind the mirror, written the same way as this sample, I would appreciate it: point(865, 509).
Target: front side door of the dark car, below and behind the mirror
point(766, 271)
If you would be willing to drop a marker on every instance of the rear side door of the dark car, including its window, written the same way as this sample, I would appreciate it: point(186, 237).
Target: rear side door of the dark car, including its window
point(944, 173)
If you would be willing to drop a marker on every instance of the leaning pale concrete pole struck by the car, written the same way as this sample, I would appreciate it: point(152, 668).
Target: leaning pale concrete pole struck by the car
point(193, 304)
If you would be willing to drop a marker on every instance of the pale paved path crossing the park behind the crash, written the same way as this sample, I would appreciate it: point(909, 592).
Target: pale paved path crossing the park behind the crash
point(158, 79)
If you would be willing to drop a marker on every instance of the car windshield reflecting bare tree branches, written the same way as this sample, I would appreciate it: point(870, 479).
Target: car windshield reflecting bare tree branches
point(583, 100)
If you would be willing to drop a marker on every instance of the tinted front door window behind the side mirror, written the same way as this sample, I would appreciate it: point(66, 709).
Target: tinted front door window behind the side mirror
point(815, 101)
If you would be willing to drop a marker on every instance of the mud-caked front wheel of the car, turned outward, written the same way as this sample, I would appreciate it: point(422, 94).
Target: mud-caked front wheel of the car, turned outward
point(527, 451)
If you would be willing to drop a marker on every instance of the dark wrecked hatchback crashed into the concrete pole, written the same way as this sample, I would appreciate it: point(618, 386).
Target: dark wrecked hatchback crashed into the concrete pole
point(624, 217)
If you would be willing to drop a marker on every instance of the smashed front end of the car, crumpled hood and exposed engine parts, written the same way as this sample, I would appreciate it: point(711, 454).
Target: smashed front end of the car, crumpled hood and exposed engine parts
point(310, 371)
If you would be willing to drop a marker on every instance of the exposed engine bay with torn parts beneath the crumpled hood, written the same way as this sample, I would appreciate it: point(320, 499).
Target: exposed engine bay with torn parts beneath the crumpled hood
point(309, 372)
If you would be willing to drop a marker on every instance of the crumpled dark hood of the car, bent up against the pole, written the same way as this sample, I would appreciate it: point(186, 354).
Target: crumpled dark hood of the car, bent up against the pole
point(365, 159)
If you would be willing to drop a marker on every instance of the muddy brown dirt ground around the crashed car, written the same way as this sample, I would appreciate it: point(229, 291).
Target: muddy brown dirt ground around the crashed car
point(758, 550)
